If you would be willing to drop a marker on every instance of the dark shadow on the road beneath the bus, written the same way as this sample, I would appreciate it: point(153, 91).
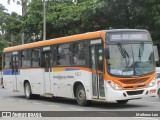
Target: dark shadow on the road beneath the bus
point(101, 105)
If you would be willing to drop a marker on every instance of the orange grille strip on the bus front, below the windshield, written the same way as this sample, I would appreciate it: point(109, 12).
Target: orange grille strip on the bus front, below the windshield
point(133, 81)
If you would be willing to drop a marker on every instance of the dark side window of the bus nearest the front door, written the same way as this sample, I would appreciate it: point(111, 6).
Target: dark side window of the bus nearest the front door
point(80, 53)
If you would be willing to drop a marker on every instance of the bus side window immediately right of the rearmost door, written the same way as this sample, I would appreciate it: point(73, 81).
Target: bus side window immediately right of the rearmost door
point(26, 58)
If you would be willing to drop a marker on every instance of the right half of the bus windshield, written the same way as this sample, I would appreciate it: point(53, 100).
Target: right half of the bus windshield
point(143, 58)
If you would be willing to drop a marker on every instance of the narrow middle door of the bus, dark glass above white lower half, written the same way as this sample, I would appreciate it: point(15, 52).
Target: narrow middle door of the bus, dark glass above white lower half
point(46, 57)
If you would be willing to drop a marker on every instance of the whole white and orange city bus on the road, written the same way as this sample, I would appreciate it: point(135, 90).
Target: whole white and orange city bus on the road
point(110, 65)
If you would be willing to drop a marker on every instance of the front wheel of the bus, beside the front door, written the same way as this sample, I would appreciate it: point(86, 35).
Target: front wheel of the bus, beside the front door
point(81, 95)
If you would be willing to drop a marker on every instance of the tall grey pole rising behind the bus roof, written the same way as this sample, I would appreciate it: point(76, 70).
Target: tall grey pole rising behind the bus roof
point(44, 20)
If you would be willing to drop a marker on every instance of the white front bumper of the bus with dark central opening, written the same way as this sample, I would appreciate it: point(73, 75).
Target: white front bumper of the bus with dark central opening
point(113, 95)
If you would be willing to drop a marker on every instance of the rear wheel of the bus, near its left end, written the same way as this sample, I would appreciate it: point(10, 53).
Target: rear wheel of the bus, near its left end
point(28, 91)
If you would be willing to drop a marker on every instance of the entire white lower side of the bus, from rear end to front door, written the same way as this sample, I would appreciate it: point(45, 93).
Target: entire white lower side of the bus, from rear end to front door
point(61, 82)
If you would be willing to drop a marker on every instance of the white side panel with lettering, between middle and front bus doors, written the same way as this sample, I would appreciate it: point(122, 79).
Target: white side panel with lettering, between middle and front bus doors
point(63, 80)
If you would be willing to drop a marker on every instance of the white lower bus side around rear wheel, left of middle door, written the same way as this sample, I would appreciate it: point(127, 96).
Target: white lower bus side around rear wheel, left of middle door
point(34, 76)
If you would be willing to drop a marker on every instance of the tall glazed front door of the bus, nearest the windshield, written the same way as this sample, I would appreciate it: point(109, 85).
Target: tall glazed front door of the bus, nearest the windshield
point(97, 64)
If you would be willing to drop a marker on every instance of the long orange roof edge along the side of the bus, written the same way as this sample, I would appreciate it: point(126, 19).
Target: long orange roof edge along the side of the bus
point(89, 35)
